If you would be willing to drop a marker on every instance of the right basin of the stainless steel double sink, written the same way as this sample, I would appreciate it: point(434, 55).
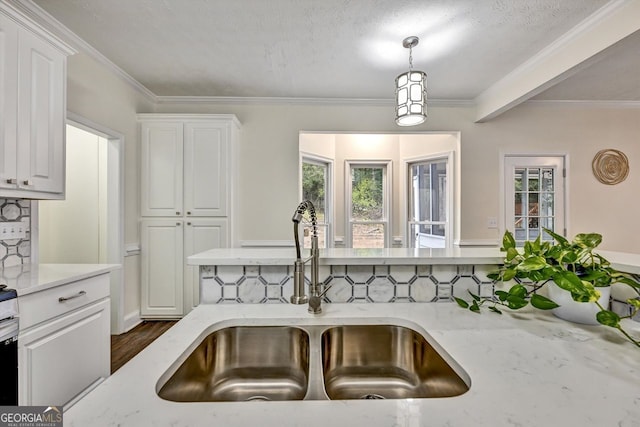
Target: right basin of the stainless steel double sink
point(384, 362)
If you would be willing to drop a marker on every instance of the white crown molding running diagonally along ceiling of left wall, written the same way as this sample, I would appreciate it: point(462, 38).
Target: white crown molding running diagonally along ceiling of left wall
point(42, 17)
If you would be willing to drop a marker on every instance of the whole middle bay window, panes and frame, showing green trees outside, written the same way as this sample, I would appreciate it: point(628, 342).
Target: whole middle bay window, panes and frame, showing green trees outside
point(367, 200)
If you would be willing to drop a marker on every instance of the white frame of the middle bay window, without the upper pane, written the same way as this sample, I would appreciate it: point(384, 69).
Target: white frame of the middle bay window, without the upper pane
point(388, 194)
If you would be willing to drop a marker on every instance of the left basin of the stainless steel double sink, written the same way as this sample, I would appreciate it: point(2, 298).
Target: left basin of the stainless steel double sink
point(243, 363)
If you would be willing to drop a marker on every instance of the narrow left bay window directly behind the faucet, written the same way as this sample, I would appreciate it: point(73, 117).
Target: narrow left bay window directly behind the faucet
point(316, 188)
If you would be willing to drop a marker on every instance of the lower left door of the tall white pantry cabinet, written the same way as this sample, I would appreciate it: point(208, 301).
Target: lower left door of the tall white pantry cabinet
point(161, 268)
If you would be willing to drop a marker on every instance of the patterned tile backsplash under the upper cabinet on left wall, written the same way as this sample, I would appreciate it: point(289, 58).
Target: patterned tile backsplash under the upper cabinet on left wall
point(15, 251)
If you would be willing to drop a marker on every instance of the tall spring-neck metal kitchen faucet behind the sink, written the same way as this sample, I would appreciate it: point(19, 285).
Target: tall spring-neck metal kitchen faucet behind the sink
point(315, 293)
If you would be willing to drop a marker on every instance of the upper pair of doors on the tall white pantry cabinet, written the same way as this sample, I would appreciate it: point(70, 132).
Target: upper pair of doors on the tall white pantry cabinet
point(186, 164)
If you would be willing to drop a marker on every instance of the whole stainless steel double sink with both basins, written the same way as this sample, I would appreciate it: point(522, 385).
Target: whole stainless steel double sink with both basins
point(313, 362)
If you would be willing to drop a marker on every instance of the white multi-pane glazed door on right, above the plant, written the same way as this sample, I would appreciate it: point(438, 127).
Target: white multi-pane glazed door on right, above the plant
point(534, 197)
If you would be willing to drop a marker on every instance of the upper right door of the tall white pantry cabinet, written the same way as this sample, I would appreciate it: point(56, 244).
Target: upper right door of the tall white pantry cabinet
point(206, 168)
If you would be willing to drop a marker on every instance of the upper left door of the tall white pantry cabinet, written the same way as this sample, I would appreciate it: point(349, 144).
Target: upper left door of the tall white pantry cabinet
point(161, 169)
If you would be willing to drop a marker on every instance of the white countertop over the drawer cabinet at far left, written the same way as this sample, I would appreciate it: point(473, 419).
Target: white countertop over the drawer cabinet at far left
point(30, 278)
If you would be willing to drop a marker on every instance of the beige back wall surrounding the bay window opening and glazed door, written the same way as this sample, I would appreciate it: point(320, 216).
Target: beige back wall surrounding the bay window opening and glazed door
point(271, 132)
